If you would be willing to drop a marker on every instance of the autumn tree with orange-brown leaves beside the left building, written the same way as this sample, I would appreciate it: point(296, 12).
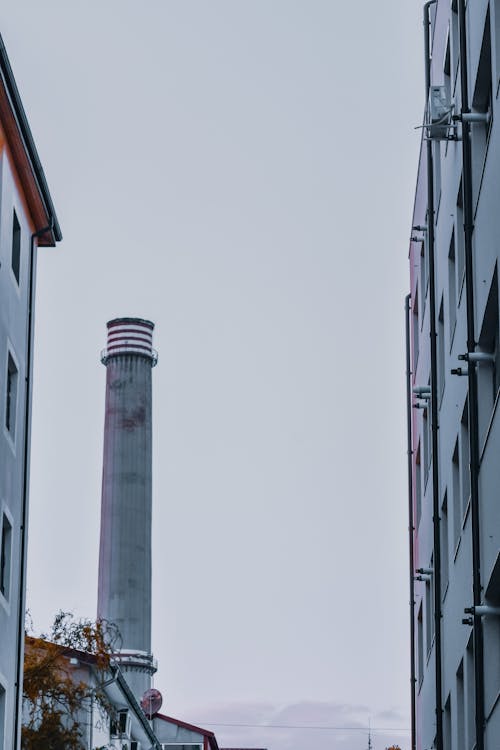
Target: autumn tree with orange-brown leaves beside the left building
point(64, 673)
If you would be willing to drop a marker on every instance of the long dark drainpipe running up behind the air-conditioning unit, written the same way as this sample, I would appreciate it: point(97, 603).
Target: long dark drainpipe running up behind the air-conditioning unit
point(434, 400)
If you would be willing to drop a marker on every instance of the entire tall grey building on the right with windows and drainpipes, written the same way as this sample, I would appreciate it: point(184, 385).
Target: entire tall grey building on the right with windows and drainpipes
point(454, 379)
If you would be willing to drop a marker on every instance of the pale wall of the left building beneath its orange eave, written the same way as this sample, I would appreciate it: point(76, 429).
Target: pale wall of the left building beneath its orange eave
point(13, 342)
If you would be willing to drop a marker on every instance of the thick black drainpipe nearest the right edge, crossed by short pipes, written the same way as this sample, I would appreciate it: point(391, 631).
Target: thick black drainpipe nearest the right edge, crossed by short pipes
point(472, 385)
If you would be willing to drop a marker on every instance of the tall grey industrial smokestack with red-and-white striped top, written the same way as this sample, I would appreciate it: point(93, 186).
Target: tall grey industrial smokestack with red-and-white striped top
point(124, 593)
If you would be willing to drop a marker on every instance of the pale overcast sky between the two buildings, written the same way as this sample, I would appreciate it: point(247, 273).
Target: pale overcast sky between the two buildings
point(242, 173)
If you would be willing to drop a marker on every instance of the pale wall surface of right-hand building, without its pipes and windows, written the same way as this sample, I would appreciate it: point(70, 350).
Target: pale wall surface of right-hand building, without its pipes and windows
point(456, 536)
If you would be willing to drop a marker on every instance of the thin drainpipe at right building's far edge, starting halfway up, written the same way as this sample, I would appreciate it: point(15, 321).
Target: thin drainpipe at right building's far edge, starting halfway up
point(410, 520)
